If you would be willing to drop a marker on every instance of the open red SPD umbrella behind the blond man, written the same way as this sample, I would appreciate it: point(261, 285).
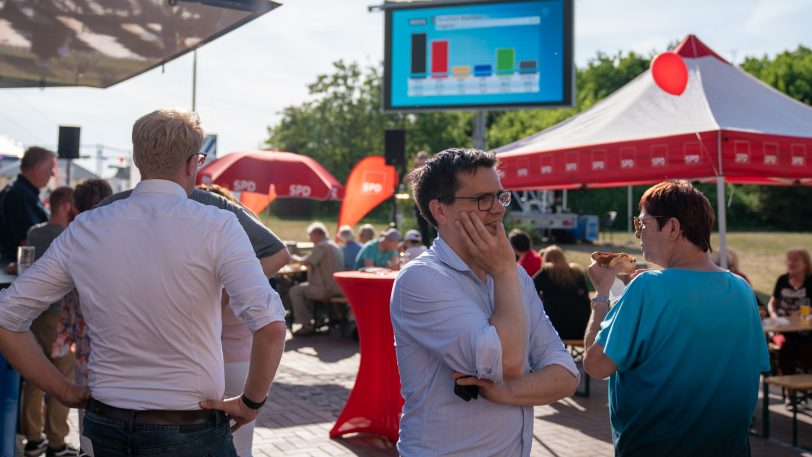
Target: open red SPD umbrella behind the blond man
point(291, 175)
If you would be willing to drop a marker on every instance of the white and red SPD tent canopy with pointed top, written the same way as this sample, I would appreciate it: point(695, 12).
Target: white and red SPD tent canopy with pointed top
point(726, 123)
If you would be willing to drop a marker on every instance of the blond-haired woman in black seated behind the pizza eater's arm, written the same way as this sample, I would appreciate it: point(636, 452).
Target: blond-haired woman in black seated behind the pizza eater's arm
point(564, 292)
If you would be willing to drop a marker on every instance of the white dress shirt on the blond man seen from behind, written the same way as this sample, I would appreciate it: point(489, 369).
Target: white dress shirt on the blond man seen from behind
point(149, 270)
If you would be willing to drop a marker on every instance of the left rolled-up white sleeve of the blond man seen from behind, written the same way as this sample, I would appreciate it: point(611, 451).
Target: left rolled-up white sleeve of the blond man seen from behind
point(43, 283)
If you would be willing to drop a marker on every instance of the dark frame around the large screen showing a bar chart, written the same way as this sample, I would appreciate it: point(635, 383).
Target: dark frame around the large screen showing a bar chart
point(568, 29)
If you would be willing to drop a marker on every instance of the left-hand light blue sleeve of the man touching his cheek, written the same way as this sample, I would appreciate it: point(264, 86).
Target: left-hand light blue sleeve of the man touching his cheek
point(427, 308)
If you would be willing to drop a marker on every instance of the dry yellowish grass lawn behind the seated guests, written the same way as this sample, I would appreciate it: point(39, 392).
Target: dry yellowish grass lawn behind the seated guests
point(761, 254)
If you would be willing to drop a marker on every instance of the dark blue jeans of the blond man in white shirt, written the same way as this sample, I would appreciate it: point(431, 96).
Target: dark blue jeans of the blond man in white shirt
point(115, 438)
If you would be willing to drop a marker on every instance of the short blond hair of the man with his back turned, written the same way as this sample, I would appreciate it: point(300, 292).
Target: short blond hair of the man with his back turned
point(164, 140)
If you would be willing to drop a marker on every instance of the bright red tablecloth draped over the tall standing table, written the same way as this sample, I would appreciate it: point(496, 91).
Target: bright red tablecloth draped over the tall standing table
point(375, 403)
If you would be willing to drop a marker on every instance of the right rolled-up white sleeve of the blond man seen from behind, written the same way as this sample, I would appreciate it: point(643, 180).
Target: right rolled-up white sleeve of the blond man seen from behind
point(250, 296)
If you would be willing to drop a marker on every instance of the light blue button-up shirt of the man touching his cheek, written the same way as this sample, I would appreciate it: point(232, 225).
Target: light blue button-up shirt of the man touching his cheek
point(441, 315)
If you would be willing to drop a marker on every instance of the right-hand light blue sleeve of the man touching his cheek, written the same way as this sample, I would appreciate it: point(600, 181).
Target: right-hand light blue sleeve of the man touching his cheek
point(546, 347)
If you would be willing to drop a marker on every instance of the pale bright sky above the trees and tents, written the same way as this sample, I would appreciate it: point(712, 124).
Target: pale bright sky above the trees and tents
point(245, 78)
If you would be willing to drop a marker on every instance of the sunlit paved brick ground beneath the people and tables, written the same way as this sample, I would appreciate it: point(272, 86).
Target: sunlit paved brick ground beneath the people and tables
point(318, 372)
